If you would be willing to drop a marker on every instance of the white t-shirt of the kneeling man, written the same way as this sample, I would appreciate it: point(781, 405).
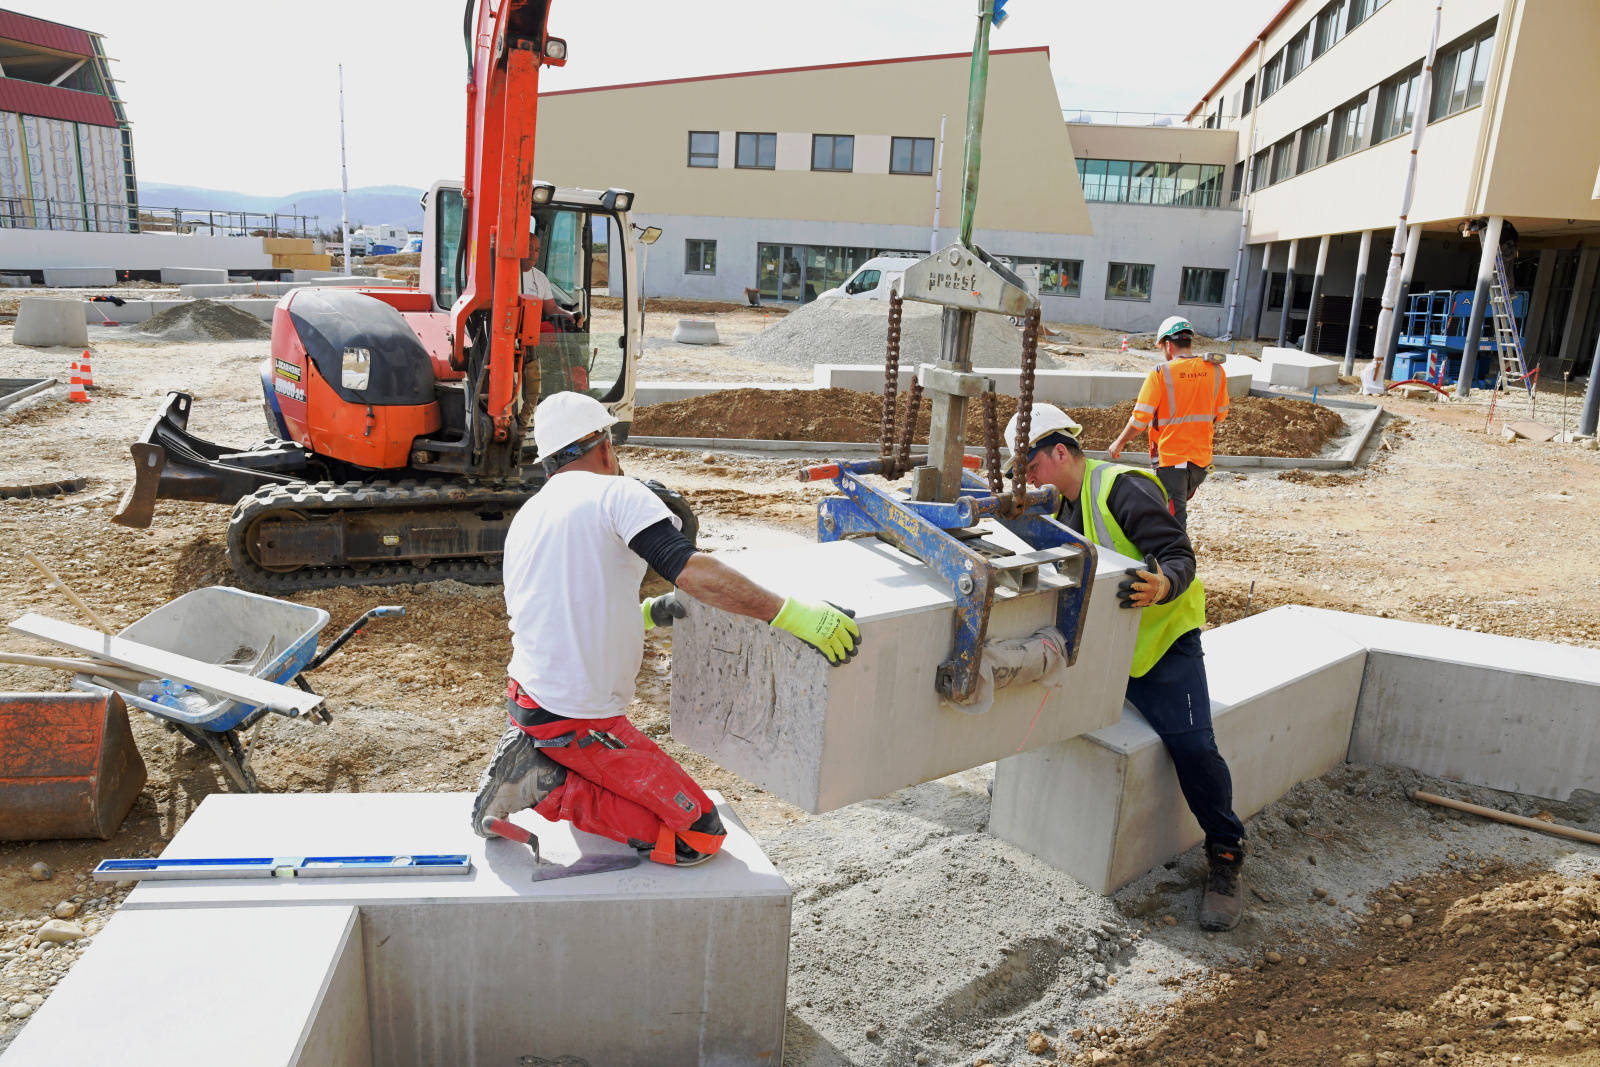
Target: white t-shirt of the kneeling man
point(572, 591)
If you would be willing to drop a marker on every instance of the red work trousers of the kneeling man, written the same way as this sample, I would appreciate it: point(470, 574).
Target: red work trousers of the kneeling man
point(623, 786)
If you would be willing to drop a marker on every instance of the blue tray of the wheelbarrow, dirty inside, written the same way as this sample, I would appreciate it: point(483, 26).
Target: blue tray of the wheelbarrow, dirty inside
point(222, 626)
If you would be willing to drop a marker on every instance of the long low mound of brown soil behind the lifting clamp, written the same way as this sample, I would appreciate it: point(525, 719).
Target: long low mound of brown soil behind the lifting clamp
point(1255, 426)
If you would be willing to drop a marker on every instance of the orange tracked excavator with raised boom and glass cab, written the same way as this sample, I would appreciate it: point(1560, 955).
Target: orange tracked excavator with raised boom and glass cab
point(399, 418)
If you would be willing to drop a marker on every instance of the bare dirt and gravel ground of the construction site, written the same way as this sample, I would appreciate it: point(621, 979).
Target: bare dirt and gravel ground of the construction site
point(1442, 524)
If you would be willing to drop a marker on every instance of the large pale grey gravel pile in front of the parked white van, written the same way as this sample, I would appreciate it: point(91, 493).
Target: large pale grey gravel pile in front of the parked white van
point(855, 332)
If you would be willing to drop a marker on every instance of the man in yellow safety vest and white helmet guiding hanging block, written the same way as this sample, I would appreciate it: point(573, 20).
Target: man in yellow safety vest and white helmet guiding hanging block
point(1127, 510)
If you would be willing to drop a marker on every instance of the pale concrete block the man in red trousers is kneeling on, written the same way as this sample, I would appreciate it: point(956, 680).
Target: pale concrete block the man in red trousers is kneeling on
point(644, 967)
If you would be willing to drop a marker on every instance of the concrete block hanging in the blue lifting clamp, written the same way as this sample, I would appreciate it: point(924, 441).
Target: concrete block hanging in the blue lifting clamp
point(769, 708)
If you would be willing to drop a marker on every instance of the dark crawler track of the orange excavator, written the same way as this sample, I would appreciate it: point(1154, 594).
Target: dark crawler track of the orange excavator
point(370, 503)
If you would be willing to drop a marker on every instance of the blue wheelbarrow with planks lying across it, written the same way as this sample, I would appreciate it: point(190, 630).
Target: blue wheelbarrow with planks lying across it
point(260, 636)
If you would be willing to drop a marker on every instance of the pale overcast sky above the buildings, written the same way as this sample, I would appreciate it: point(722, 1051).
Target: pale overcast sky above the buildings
point(246, 97)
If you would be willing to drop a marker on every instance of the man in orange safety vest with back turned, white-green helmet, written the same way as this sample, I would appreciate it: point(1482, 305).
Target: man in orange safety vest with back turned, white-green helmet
point(1182, 404)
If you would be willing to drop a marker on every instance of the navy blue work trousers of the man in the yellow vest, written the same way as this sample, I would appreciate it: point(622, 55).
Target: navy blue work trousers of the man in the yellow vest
point(1177, 705)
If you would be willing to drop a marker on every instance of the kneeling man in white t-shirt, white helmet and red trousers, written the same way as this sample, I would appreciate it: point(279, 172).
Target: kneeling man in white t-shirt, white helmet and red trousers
point(575, 557)
